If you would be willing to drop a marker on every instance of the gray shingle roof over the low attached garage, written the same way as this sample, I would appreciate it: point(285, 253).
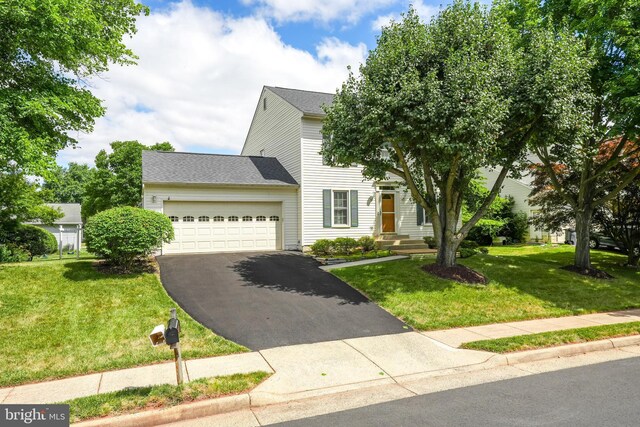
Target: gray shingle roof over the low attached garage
point(195, 168)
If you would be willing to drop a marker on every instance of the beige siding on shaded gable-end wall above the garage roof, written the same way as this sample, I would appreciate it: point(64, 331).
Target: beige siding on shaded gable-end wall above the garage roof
point(276, 130)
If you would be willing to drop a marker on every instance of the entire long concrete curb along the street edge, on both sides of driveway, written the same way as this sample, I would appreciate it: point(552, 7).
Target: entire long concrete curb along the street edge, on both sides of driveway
point(260, 399)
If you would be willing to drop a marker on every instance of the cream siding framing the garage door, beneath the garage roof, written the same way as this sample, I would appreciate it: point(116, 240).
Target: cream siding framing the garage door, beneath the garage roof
point(288, 197)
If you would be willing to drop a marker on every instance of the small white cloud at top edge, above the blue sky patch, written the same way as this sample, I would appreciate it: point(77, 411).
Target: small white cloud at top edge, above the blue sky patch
point(314, 10)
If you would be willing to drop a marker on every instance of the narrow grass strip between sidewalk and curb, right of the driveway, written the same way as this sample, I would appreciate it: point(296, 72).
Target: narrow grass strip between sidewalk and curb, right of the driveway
point(555, 338)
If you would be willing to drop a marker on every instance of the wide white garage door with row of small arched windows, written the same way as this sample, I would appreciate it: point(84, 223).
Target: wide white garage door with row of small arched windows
point(223, 227)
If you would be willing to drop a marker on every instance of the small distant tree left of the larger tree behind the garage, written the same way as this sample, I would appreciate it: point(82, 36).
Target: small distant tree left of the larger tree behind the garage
point(67, 184)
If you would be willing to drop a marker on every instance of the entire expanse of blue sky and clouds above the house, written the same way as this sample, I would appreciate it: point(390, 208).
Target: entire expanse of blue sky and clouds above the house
point(203, 63)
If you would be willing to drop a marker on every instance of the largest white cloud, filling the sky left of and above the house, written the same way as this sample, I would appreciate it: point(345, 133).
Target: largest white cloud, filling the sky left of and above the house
point(198, 80)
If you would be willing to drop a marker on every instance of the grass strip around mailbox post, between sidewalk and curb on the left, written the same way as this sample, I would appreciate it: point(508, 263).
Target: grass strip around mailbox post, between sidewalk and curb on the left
point(138, 399)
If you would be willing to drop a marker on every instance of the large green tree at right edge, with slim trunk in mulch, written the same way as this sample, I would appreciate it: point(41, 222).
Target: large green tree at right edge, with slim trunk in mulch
point(610, 31)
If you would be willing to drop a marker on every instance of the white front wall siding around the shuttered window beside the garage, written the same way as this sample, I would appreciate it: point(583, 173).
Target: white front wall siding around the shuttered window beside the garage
point(317, 177)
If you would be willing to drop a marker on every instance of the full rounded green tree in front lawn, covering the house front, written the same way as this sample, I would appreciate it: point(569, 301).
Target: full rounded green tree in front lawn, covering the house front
point(435, 102)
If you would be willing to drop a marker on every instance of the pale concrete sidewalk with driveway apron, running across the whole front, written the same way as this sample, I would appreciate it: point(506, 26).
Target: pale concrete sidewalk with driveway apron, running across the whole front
point(307, 370)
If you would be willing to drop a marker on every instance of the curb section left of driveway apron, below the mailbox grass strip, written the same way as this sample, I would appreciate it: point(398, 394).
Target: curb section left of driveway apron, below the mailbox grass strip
point(187, 411)
